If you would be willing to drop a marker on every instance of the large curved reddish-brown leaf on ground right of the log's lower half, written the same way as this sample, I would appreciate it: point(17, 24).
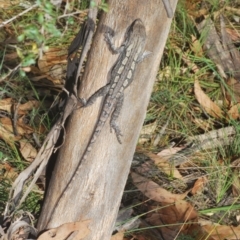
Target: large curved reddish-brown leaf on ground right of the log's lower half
point(153, 191)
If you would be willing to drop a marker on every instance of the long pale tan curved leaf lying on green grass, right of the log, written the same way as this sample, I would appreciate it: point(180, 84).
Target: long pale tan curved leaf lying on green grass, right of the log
point(207, 104)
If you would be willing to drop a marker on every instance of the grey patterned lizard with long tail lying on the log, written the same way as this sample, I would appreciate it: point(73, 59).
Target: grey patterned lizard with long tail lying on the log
point(131, 52)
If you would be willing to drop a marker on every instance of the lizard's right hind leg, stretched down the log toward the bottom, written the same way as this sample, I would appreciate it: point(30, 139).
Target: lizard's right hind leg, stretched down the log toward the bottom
point(114, 117)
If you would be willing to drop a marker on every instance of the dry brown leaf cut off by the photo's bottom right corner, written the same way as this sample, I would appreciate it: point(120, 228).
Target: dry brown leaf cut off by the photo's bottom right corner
point(222, 232)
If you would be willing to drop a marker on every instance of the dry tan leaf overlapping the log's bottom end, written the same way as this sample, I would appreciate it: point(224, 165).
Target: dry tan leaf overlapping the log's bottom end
point(63, 231)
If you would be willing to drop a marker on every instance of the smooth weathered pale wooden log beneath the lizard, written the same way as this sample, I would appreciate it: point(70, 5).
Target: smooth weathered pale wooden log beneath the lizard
point(97, 190)
